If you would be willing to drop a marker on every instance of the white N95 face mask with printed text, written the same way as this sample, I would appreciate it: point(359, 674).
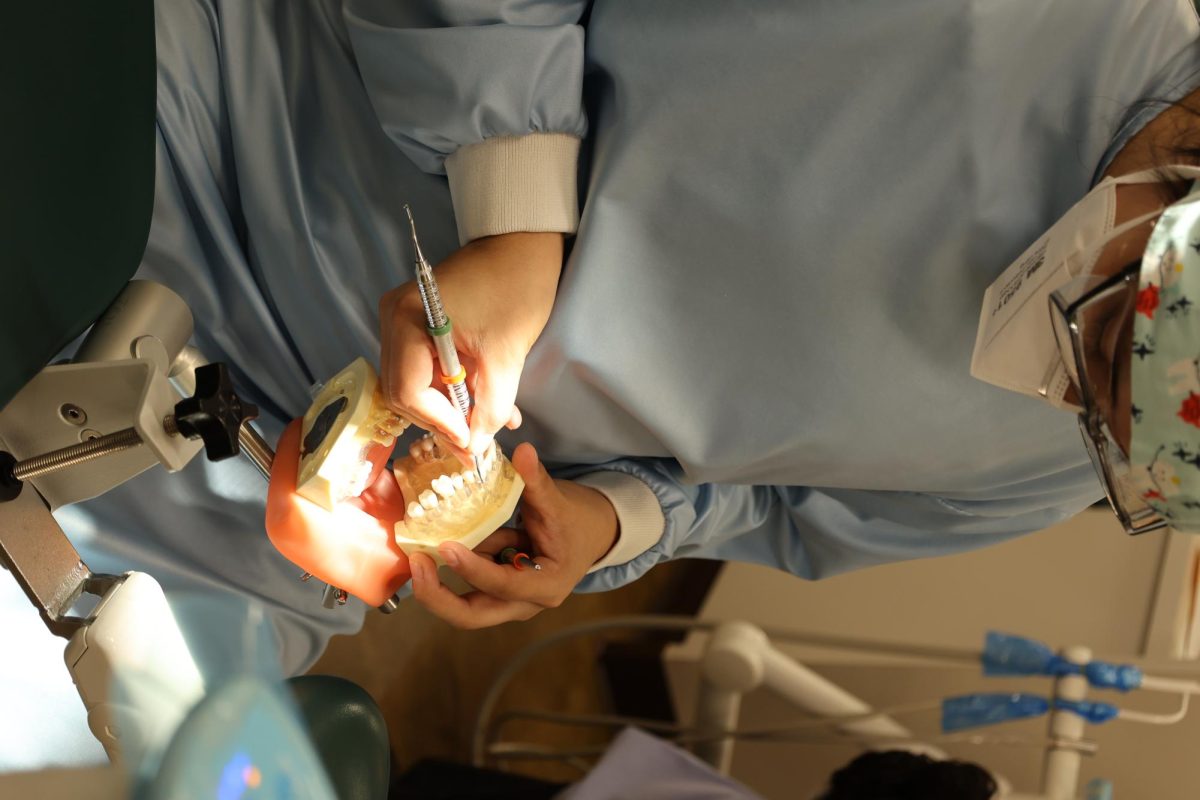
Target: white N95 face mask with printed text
point(1016, 346)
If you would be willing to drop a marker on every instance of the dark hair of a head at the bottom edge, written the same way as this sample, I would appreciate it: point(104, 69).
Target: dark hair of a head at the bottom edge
point(901, 775)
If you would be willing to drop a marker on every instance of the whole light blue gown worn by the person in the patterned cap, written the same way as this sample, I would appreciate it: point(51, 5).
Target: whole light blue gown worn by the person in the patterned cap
point(791, 212)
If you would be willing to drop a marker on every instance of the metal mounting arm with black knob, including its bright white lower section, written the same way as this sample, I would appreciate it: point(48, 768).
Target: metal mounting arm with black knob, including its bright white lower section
point(81, 429)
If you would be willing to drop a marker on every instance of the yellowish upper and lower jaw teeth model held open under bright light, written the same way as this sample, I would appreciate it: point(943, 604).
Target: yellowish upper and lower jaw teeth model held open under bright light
point(350, 431)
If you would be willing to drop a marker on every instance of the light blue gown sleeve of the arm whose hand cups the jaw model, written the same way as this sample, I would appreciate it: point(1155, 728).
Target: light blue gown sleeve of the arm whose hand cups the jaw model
point(820, 533)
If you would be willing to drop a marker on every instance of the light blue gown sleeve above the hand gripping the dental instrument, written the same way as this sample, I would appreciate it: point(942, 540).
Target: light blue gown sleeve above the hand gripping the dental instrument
point(443, 75)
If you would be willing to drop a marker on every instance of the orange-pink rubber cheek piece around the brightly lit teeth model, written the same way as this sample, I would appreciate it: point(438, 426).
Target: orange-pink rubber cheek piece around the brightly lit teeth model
point(352, 548)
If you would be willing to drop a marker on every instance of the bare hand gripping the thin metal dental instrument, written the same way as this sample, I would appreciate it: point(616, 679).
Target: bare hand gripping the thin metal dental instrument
point(499, 293)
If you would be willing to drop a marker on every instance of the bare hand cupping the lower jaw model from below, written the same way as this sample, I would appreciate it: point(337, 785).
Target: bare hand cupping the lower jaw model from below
point(568, 528)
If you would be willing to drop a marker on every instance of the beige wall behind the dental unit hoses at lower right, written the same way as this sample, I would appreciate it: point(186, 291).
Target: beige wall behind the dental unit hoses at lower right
point(1079, 584)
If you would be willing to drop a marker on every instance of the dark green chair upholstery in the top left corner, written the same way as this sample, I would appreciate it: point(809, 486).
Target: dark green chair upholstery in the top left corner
point(77, 149)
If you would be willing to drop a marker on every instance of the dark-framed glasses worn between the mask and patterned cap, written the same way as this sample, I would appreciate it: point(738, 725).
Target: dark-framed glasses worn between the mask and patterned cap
point(1093, 320)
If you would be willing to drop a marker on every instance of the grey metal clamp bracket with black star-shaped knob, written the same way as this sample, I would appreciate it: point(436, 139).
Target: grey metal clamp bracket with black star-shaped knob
point(83, 428)
